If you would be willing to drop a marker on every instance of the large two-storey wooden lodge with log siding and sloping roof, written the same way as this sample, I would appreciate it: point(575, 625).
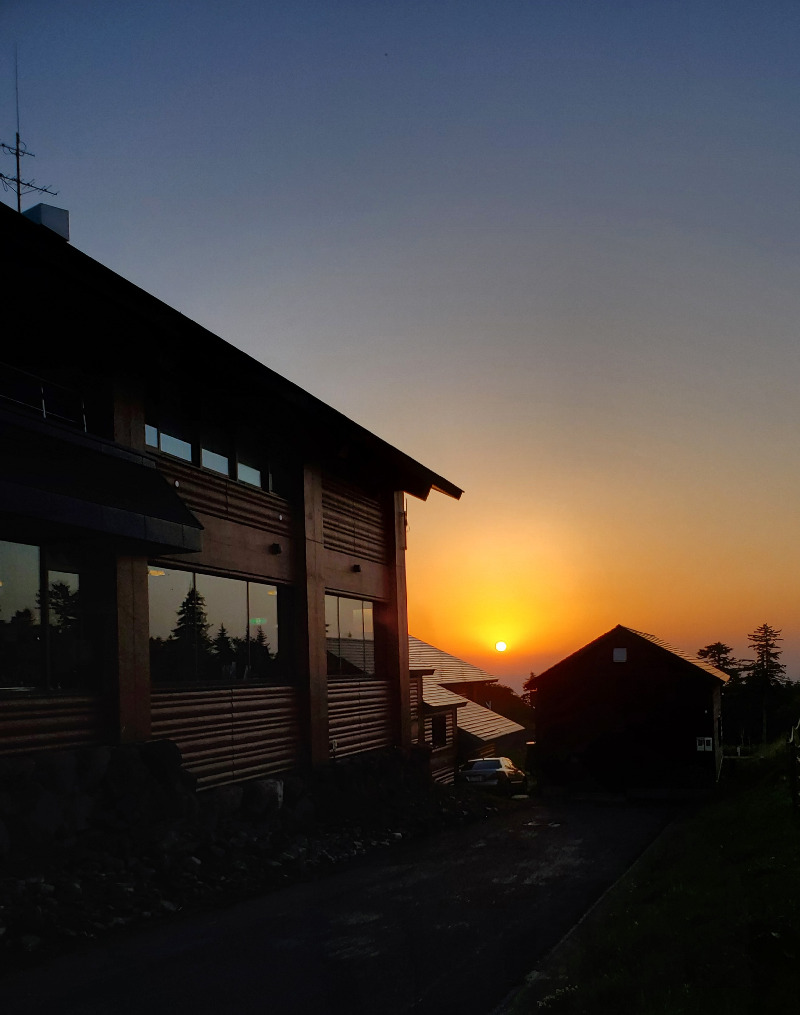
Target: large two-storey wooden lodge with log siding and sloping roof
point(192, 549)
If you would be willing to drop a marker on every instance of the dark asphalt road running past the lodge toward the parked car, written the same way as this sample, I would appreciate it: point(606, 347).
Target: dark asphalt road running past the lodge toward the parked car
point(451, 923)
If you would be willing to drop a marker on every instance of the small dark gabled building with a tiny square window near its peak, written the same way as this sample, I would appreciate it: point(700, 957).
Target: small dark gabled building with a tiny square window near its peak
point(630, 712)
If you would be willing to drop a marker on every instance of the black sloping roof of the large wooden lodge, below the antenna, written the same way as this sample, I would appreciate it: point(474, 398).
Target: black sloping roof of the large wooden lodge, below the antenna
point(43, 258)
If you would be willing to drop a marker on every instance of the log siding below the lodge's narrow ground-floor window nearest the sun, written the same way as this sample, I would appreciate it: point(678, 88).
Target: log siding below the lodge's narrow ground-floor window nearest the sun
point(360, 716)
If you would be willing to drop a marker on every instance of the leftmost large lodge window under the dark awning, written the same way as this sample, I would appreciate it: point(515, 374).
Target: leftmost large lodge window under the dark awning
point(50, 620)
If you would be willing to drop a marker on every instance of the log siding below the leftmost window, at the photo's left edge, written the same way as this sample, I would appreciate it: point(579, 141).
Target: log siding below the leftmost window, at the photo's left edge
point(33, 724)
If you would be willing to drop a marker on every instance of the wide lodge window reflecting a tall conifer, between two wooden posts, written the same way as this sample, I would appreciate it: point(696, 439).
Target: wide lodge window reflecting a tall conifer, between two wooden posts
point(219, 630)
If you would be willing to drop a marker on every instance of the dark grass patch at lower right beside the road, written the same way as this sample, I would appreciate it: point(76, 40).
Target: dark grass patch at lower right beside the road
point(708, 921)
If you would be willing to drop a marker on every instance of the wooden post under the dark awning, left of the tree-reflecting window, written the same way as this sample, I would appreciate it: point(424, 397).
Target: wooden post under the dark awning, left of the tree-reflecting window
point(134, 650)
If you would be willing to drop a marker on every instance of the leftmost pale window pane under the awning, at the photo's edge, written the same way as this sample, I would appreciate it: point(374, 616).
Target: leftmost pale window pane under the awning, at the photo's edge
point(21, 643)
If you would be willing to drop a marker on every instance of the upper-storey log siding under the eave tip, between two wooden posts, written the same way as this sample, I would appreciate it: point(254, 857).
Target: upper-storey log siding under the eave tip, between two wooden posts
point(353, 522)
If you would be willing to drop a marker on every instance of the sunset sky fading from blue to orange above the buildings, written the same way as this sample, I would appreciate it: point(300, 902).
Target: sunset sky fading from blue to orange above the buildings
point(550, 249)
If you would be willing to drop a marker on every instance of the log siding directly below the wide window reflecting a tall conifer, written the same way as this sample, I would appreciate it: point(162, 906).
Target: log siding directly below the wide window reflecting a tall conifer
point(231, 734)
